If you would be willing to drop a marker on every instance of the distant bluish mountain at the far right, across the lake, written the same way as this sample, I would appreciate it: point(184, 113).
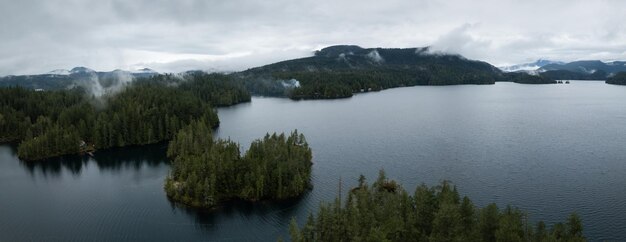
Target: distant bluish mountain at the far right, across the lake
point(586, 70)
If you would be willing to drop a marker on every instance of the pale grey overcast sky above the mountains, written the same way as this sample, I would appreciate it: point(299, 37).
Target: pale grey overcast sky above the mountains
point(42, 35)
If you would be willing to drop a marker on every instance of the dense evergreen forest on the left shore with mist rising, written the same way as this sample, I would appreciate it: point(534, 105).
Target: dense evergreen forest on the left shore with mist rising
point(150, 110)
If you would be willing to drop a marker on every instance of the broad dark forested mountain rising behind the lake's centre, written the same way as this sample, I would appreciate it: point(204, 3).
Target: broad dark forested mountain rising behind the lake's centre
point(339, 71)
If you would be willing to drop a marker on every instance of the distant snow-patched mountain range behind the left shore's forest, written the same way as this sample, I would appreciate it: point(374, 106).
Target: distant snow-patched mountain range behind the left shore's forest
point(77, 76)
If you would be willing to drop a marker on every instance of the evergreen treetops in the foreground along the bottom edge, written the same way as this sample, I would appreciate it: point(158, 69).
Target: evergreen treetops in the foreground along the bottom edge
point(384, 211)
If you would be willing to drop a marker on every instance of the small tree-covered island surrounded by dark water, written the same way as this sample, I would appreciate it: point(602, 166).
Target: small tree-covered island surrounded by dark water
point(206, 172)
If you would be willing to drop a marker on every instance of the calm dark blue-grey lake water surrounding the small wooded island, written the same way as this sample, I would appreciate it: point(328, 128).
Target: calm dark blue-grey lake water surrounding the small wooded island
point(547, 149)
